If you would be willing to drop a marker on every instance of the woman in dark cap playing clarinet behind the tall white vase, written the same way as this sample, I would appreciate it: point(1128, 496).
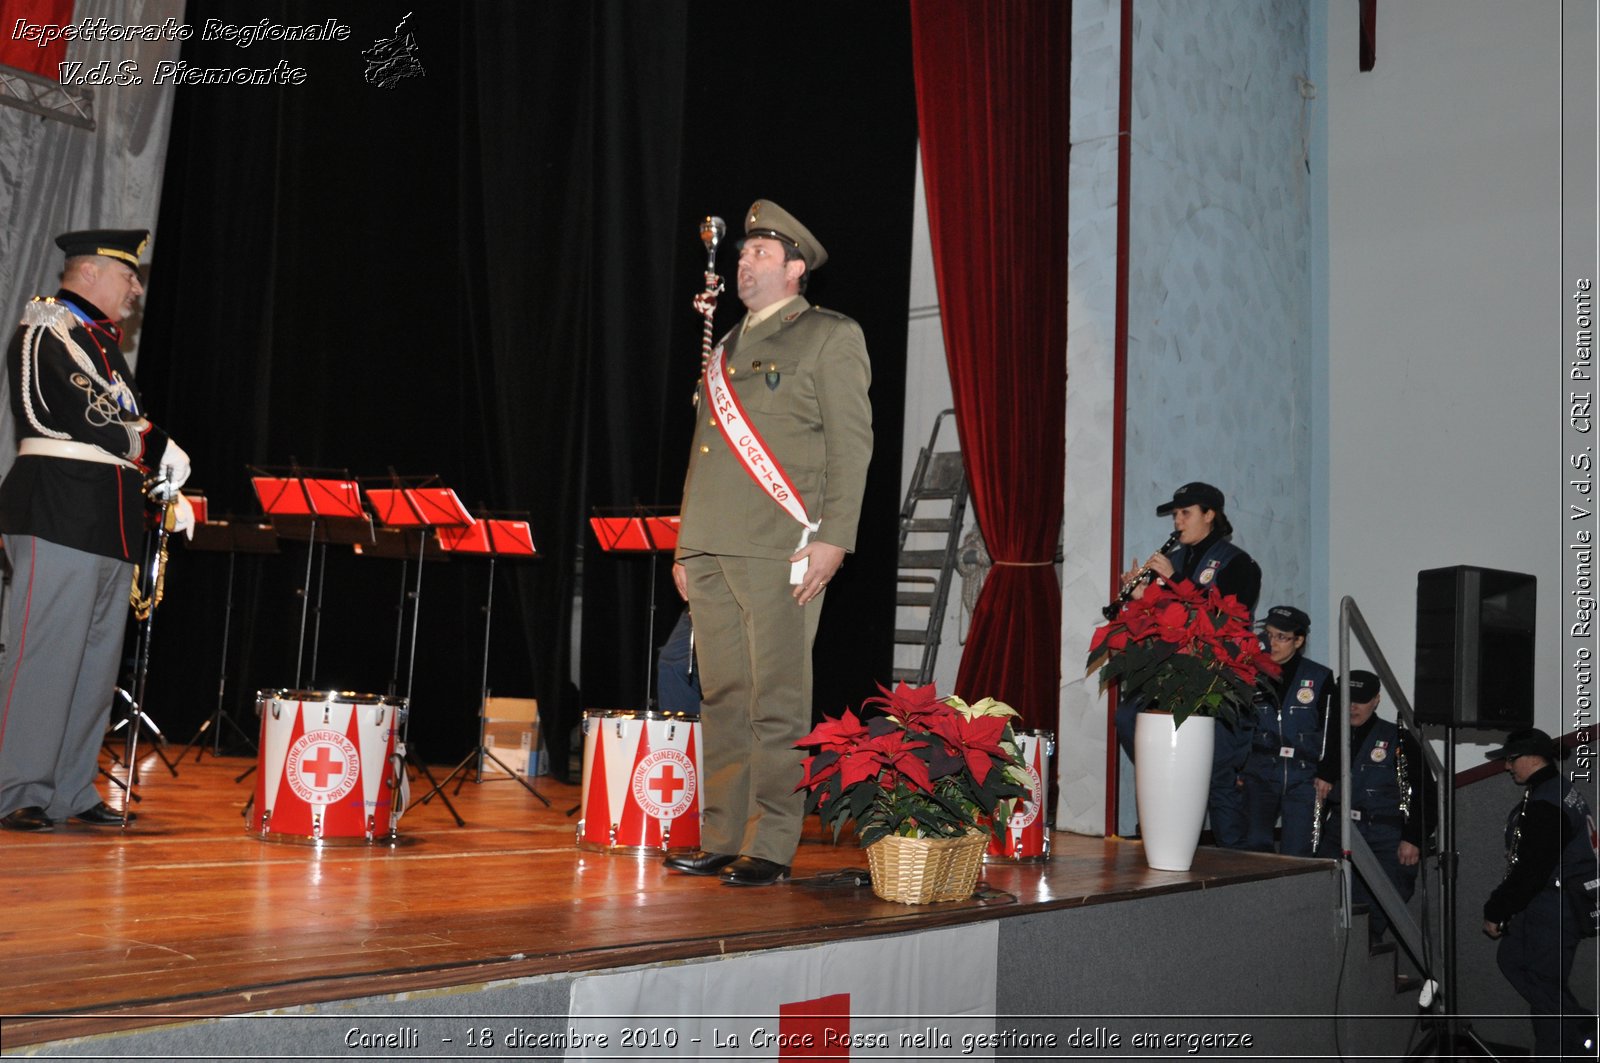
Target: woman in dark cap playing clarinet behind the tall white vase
point(1207, 558)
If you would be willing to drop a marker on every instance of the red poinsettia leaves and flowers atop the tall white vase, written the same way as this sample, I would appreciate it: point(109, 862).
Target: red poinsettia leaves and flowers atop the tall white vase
point(1186, 651)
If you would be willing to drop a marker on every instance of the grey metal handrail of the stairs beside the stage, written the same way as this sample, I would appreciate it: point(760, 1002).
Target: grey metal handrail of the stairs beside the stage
point(1354, 848)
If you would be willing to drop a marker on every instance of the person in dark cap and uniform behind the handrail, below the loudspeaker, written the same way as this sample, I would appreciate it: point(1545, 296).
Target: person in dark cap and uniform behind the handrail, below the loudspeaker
point(1394, 808)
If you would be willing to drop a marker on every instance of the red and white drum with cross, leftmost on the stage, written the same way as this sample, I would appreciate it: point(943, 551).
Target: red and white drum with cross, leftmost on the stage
point(329, 768)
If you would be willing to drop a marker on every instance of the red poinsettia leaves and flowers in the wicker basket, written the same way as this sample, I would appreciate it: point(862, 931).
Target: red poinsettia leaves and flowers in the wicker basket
point(927, 768)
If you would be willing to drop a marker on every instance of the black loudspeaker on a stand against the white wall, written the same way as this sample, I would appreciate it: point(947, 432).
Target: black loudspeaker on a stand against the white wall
point(1474, 648)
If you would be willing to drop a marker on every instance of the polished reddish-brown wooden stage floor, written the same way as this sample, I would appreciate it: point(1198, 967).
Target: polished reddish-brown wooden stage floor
point(186, 915)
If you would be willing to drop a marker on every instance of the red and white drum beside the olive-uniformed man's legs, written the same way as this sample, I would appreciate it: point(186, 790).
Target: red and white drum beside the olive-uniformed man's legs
point(641, 784)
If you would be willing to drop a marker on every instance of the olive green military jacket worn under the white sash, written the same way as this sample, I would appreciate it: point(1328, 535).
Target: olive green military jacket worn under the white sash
point(802, 377)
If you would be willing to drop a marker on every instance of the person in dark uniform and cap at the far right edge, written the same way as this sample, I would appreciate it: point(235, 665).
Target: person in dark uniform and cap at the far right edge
point(1548, 843)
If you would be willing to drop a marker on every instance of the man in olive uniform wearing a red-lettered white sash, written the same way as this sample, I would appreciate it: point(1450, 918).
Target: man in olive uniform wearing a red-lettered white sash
point(770, 510)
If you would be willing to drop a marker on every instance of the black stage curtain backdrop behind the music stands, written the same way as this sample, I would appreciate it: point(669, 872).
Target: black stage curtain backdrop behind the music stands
point(486, 273)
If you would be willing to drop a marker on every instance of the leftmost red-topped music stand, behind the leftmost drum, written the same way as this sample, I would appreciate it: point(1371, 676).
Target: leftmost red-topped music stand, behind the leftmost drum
point(318, 510)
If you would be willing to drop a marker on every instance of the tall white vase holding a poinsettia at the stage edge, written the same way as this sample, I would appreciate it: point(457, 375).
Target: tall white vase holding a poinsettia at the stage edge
point(1174, 784)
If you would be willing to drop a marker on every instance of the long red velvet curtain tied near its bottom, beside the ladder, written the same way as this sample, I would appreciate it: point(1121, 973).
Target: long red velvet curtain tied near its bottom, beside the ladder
point(993, 113)
